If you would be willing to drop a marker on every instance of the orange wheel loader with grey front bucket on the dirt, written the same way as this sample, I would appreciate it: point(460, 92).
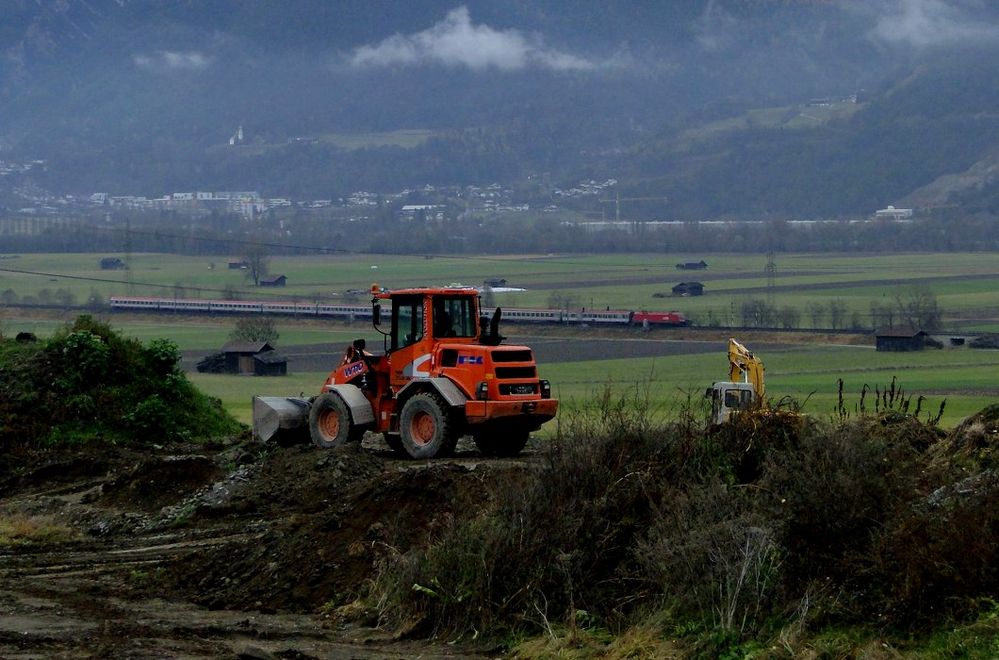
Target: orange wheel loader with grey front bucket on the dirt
point(444, 373)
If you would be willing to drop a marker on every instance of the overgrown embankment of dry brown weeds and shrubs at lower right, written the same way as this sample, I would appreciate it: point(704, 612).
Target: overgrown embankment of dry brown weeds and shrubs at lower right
point(645, 536)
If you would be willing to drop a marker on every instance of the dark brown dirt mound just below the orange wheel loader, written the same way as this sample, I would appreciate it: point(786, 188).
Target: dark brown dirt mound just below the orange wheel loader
point(332, 515)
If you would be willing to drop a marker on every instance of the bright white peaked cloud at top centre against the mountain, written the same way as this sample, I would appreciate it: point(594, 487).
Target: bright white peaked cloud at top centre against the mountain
point(457, 42)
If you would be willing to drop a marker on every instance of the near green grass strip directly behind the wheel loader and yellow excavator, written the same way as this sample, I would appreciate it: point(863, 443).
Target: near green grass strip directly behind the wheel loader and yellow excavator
point(964, 379)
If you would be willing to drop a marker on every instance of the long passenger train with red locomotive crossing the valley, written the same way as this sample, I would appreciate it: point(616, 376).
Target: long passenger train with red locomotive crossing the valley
point(363, 312)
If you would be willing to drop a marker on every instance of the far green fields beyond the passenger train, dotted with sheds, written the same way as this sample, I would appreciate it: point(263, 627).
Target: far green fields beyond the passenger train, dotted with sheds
point(966, 285)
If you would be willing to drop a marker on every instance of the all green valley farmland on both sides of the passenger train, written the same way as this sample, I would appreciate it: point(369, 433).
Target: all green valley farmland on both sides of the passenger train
point(966, 287)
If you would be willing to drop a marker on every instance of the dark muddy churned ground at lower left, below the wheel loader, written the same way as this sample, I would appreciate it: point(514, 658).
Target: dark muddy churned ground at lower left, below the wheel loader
point(228, 550)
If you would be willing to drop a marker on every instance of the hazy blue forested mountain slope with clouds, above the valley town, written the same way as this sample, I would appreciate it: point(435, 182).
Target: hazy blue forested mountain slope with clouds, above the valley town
point(142, 97)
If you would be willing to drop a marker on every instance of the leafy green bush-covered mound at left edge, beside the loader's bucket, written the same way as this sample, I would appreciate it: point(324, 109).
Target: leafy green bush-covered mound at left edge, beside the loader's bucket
point(89, 383)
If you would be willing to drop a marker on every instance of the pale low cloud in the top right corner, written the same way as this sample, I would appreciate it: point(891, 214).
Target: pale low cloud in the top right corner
point(926, 23)
